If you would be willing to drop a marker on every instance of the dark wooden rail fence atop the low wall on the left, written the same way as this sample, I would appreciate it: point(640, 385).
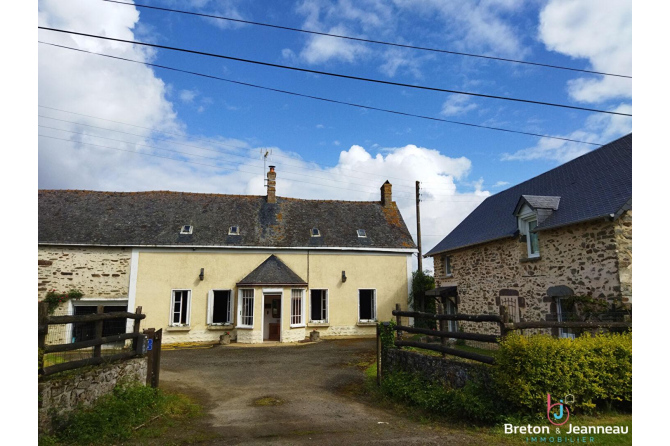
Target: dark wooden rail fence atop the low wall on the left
point(44, 320)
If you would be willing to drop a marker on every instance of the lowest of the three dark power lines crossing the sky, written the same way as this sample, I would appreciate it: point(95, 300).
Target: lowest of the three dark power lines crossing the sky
point(326, 99)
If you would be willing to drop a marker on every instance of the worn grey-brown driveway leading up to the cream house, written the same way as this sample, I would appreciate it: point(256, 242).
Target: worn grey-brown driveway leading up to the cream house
point(299, 394)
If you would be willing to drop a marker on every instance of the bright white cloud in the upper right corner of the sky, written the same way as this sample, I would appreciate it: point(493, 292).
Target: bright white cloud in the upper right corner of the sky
point(601, 34)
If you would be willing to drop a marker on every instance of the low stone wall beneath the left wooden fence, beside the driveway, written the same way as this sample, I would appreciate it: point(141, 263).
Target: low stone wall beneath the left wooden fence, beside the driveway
point(61, 395)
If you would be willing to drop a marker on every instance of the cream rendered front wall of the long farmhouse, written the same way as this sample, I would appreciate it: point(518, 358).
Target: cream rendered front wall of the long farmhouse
point(155, 273)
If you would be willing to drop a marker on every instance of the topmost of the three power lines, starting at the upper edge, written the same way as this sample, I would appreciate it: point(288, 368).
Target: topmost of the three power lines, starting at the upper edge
point(340, 36)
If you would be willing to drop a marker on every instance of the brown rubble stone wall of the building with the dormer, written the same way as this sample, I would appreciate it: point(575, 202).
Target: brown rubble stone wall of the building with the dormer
point(584, 257)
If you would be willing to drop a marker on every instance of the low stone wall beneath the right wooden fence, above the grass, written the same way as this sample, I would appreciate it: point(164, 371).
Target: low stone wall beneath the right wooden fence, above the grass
point(451, 373)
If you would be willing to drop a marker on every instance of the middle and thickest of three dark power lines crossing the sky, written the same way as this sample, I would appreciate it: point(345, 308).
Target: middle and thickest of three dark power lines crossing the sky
point(342, 76)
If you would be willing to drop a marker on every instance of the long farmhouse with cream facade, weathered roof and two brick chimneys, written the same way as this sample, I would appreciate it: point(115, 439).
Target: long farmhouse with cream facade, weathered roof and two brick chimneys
point(262, 268)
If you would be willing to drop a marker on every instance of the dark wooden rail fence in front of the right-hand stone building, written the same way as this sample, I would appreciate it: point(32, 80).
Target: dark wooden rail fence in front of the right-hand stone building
point(501, 320)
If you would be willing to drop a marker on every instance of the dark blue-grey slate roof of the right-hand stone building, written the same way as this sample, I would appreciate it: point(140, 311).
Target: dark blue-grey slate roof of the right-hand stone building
point(595, 185)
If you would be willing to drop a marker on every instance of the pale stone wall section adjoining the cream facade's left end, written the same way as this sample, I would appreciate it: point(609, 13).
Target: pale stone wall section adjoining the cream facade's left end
point(96, 272)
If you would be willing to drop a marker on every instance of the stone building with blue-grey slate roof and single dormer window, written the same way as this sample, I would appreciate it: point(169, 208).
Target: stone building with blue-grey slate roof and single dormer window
point(537, 247)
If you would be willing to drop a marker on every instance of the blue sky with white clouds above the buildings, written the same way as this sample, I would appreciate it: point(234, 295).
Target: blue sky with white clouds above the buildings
point(113, 125)
